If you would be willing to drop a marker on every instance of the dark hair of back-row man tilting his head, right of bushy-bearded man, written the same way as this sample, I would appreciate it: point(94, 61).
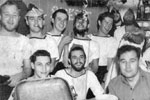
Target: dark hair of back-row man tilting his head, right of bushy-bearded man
point(102, 16)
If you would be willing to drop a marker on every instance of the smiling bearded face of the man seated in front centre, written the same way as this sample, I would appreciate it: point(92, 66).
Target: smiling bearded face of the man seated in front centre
point(77, 60)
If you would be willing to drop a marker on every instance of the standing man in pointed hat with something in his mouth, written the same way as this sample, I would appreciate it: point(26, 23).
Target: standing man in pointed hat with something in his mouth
point(35, 19)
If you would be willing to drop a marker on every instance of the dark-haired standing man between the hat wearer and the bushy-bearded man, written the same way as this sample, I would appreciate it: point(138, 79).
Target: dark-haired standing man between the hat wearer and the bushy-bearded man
point(59, 23)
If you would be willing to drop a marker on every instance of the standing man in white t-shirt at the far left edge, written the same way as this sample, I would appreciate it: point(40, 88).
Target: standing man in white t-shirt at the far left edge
point(15, 49)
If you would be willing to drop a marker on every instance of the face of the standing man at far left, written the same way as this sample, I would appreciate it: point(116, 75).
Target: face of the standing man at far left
point(10, 17)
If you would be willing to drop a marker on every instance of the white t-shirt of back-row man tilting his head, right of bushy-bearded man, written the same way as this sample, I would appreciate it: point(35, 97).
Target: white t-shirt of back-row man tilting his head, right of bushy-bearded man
point(108, 48)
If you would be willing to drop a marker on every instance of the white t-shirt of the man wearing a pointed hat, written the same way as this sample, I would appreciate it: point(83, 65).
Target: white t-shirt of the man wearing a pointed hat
point(46, 43)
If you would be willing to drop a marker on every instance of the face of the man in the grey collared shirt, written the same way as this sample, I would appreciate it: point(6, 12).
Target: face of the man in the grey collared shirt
point(129, 62)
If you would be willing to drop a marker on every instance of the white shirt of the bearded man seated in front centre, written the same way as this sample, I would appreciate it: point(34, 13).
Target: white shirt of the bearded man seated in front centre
point(82, 83)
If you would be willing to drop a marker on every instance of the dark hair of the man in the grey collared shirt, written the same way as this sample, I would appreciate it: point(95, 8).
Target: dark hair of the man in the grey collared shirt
point(127, 48)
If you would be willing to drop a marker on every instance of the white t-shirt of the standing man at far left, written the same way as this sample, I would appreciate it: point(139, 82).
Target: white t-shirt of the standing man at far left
point(13, 51)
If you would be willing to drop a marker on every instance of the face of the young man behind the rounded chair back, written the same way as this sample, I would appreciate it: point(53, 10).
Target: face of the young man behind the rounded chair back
point(42, 66)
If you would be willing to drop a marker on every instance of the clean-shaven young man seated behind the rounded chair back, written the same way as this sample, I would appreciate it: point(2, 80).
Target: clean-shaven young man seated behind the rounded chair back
point(41, 65)
